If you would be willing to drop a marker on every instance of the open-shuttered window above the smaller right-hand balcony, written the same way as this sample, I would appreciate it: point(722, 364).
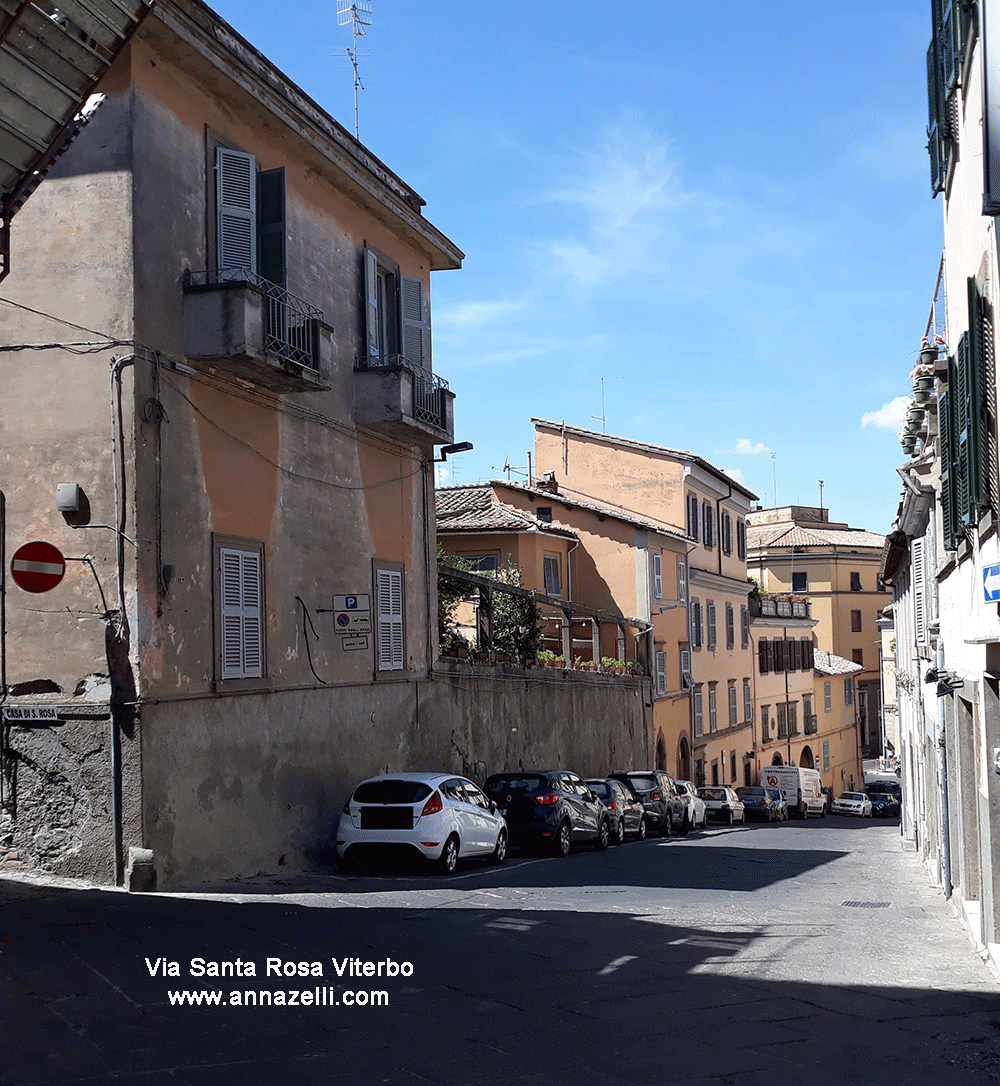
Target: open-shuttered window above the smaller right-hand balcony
point(396, 319)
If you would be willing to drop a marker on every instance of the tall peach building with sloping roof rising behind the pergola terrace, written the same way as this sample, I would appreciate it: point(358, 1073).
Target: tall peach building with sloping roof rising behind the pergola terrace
point(688, 496)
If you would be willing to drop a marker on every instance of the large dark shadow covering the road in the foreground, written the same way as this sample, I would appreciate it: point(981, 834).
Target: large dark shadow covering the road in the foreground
point(495, 996)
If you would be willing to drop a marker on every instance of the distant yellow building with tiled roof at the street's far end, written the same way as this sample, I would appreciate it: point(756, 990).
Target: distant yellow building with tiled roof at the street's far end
point(799, 550)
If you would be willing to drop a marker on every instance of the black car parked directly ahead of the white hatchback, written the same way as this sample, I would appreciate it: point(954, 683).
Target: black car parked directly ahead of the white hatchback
point(551, 809)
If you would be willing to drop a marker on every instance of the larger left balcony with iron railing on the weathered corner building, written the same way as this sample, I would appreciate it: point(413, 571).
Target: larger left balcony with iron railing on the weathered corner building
point(237, 322)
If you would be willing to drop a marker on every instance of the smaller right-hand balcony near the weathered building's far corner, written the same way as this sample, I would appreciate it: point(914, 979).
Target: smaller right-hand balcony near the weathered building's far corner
point(403, 400)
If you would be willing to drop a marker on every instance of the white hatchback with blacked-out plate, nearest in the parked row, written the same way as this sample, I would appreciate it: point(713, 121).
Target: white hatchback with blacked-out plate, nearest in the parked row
point(439, 816)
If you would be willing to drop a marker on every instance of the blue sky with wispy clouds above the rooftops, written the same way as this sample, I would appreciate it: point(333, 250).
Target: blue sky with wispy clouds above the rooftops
point(729, 219)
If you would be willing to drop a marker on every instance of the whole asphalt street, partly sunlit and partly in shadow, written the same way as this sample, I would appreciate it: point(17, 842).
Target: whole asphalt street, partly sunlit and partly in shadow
point(798, 954)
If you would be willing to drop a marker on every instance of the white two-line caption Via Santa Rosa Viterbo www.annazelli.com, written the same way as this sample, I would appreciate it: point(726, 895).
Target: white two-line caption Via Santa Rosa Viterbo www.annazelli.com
point(323, 994)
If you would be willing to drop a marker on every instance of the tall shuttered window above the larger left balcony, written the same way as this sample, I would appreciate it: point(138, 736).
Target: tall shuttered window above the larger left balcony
point(250, 228)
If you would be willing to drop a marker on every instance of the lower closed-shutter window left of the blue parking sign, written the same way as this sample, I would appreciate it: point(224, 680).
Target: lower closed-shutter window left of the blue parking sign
point(239, 567)
